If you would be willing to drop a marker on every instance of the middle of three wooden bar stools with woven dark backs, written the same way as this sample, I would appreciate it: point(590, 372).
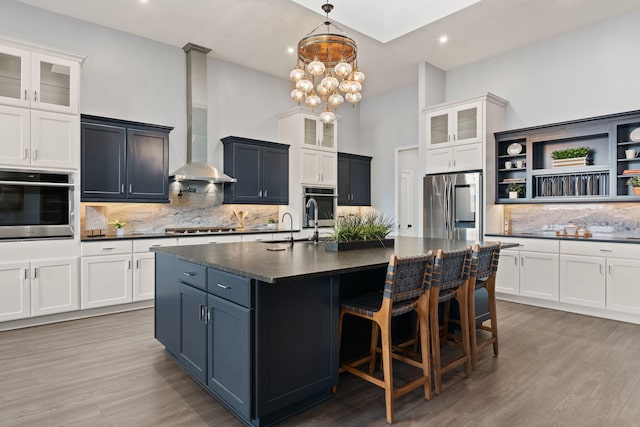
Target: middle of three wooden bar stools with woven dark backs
point(450, 281)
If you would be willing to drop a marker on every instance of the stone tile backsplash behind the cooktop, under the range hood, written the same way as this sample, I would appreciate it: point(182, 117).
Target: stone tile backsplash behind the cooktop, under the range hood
point(190, 209)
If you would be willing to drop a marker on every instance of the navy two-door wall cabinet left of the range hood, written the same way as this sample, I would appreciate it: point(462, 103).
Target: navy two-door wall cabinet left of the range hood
point(124, 161)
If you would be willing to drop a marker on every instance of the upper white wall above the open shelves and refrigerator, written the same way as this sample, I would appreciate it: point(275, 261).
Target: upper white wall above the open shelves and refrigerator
point(588, 72)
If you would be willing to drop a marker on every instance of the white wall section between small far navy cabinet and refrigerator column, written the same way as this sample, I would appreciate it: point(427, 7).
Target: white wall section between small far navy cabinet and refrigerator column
point(387, 121)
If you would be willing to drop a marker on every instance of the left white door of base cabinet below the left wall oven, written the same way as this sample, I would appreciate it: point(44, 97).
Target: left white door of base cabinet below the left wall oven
point(15, 291)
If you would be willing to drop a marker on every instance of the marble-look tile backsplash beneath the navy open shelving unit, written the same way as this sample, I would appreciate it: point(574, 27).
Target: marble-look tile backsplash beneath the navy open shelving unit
point(616, 218)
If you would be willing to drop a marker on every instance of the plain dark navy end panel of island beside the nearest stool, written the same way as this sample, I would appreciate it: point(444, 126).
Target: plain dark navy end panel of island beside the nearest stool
point(297, 354)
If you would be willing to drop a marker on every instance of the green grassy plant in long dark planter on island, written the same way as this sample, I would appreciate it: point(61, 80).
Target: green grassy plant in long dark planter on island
point(361, 231)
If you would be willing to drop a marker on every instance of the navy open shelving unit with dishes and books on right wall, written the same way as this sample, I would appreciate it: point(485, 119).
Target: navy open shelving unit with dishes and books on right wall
point(602, 177)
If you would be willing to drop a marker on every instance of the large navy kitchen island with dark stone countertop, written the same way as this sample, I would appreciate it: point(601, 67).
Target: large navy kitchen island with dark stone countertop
point(256, 324)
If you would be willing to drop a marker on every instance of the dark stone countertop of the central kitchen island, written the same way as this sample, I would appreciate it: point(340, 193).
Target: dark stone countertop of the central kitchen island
point(274, 262)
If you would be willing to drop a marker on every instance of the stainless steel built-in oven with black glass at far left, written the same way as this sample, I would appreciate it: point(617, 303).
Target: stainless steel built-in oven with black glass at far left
point(36, 205)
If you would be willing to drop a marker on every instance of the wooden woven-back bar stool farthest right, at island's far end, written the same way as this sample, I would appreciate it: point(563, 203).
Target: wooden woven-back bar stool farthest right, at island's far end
point(484, 265)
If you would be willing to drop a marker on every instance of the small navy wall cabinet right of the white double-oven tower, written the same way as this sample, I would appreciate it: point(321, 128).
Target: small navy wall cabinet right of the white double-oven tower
point(354, 180)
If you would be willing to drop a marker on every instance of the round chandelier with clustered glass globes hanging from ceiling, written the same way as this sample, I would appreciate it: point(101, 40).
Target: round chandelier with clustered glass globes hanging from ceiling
point(326, 69)
